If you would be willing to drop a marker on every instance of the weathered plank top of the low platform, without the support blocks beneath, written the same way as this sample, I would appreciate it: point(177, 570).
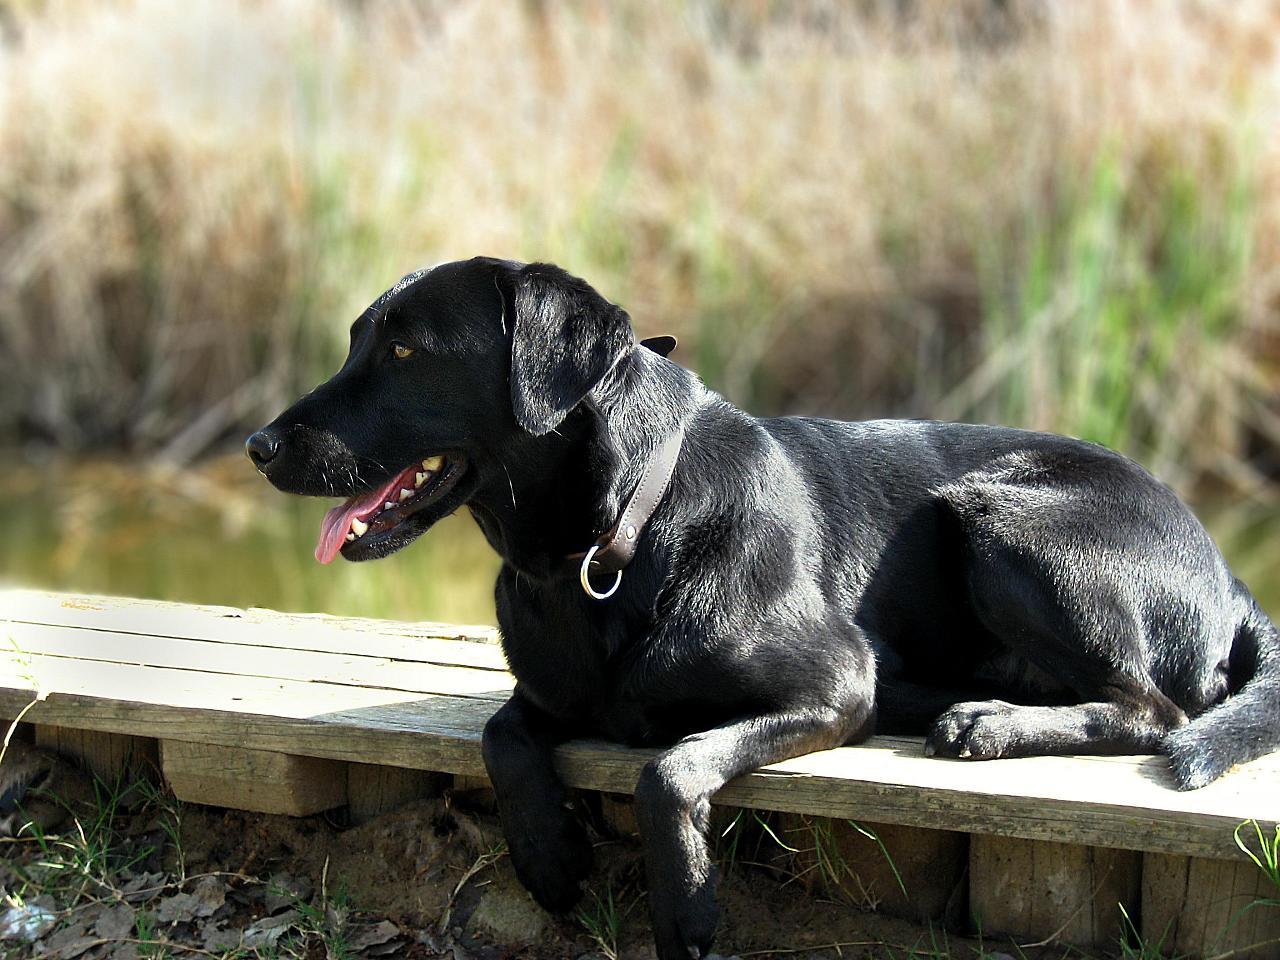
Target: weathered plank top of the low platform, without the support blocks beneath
point(294, 685)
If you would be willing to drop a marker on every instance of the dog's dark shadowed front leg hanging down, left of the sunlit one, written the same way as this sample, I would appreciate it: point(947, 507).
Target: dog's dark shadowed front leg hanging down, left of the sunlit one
point(548, 847)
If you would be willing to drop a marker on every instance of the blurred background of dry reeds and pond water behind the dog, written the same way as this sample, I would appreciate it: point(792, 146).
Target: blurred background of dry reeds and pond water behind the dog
point(1059, 216)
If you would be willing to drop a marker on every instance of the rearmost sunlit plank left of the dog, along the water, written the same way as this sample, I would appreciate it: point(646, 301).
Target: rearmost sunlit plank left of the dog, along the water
point(426, 643)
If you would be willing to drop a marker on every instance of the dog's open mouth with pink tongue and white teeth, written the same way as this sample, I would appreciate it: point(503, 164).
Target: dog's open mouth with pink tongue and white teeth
point(368, 518)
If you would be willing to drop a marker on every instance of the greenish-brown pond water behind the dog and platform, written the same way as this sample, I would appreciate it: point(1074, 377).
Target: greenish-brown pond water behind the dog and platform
point(218, 534)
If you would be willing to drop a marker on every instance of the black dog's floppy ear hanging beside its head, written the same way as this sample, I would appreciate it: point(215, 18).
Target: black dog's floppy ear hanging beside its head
point(566, 339)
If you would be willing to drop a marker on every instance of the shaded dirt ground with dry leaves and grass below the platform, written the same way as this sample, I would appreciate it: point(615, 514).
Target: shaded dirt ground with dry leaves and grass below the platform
point(132, 874)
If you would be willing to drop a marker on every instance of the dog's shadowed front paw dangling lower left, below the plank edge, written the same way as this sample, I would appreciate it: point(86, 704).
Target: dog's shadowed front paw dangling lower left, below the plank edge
point(552, 856)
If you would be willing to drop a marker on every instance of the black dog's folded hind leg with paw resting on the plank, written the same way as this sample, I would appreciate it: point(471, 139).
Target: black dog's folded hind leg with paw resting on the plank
point(1085, 625)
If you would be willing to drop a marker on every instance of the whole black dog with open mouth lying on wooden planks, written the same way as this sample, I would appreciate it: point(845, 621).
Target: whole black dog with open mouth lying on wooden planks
point(1009, 593)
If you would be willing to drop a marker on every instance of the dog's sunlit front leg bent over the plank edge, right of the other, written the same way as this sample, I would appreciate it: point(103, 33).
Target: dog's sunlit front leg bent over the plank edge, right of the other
point(674, 806)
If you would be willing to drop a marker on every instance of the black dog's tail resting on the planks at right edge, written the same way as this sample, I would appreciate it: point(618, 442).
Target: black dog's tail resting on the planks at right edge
point(1247, 724)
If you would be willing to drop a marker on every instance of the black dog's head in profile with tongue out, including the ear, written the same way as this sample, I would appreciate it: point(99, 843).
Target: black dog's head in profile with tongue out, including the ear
point(447, 371)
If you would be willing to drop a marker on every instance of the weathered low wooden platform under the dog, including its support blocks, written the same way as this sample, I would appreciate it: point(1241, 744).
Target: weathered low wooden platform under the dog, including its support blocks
point(291, 714)
